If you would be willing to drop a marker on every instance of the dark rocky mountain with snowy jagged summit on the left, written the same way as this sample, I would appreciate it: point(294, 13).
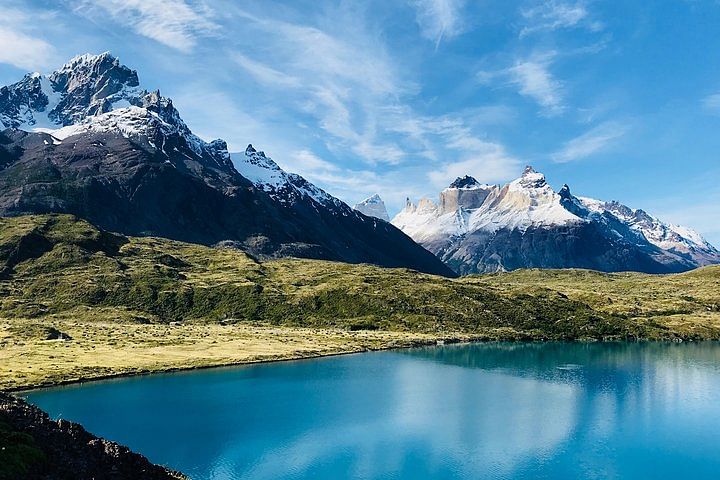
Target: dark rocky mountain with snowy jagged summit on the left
point(87, 139)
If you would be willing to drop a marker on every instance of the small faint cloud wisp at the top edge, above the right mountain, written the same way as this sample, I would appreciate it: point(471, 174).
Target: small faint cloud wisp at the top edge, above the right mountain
point(554, 15)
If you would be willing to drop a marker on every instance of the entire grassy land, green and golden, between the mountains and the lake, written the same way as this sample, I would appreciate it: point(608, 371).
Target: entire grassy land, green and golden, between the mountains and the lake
point(76, 302)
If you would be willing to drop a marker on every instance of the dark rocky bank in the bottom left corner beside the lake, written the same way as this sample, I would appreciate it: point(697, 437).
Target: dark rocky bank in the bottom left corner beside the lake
point(44, 449)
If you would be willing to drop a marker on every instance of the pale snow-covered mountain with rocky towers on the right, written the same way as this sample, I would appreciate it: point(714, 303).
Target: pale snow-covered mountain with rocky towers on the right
point(479, 228)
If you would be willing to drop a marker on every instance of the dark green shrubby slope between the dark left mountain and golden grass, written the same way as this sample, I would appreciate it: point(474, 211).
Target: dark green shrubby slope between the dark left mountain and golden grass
point(57, 265)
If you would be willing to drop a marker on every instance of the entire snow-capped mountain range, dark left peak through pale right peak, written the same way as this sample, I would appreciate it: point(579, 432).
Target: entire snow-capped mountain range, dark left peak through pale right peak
point(88, 140)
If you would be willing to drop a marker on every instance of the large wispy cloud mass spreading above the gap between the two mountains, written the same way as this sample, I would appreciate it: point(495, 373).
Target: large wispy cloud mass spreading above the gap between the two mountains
point(351, 92)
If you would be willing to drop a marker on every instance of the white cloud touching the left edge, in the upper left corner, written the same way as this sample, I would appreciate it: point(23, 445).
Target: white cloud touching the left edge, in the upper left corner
point(18, 46)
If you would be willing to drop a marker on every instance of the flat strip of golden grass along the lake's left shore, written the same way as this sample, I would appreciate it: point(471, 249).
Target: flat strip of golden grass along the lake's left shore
point(109, 348)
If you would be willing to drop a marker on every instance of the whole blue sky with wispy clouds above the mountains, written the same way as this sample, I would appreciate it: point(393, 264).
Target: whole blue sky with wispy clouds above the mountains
point(620, 100)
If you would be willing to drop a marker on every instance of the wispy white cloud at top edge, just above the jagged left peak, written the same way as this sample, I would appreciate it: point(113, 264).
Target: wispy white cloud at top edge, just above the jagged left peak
point(175, 23)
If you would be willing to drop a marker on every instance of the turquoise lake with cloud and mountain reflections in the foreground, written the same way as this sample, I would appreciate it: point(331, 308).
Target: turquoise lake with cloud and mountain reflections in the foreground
point(495, 410)
